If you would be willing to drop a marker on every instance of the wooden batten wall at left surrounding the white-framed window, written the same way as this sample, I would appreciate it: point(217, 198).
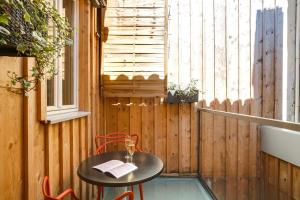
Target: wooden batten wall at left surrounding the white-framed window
point(31, 149)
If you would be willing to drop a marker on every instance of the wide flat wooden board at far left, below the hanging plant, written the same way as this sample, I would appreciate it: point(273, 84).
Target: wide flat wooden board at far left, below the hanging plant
point(11, 145)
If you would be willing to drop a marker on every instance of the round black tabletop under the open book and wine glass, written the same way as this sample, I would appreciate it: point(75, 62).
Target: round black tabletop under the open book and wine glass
point(149, 166)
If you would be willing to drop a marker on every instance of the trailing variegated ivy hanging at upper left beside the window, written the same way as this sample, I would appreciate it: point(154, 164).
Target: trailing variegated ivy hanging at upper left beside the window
point(24, 25)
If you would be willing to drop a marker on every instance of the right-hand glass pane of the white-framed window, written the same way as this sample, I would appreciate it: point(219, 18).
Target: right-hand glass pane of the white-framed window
point(67, 59)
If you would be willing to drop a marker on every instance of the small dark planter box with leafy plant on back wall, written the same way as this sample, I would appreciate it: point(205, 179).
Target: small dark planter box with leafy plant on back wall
point(177, 94)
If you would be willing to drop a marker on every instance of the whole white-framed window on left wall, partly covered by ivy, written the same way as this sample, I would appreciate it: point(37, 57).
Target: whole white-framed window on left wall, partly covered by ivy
point(62, 89)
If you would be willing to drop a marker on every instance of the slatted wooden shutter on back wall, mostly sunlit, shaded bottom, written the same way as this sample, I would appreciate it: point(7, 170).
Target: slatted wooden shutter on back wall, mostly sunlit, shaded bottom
point(134, 51)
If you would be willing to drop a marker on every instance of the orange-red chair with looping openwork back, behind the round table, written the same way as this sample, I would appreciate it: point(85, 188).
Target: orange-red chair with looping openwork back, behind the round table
point(102, 141)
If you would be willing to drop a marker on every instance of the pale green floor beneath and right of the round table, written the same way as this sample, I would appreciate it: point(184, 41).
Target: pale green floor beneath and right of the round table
point(167, 188)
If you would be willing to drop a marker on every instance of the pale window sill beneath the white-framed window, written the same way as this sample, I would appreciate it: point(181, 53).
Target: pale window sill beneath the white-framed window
point(57, 118)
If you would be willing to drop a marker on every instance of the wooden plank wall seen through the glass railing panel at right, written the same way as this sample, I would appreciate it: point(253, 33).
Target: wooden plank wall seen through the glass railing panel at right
point(240, 170)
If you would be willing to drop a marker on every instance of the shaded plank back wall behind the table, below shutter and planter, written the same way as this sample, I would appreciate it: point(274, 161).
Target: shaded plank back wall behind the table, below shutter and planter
point(167, 130)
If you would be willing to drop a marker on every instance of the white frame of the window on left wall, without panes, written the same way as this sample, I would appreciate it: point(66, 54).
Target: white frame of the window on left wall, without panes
point(58, 107)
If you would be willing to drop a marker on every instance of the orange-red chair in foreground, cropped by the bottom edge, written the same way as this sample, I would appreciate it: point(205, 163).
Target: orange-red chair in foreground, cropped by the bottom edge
point(47, 194)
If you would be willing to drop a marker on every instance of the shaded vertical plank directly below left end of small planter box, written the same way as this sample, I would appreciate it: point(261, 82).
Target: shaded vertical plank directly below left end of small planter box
point(172, 138)
